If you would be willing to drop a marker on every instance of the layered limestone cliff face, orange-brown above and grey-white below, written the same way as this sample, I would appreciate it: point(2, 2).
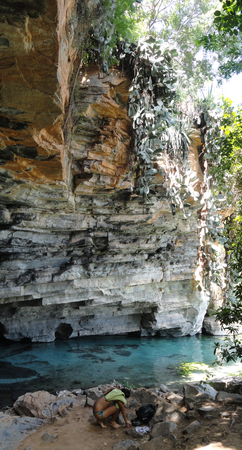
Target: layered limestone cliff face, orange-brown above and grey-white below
point(81, 255)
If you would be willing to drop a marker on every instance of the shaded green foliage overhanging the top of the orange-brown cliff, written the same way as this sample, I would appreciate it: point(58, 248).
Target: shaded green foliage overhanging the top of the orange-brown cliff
point(101, 25)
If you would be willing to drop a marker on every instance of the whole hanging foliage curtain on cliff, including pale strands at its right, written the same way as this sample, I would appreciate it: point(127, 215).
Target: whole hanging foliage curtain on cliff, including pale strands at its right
point(157, 127)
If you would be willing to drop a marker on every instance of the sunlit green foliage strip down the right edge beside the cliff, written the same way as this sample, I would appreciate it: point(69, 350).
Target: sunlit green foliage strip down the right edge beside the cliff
point(224, 157)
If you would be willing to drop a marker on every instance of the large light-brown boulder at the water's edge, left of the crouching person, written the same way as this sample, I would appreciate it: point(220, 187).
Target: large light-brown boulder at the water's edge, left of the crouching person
point(33, 403)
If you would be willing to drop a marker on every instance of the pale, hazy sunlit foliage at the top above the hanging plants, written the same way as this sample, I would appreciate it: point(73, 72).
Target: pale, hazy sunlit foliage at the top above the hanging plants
point(180, 25)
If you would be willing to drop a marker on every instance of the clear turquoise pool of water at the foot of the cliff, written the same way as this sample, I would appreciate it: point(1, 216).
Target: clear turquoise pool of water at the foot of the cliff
point(90, 361)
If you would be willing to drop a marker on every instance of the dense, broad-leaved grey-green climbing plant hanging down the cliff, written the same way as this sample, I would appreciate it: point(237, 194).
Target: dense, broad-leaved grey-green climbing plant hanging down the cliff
point(151, 95)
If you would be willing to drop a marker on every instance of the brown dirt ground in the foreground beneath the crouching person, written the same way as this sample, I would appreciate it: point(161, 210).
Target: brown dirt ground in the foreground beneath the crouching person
point(79, 431)
